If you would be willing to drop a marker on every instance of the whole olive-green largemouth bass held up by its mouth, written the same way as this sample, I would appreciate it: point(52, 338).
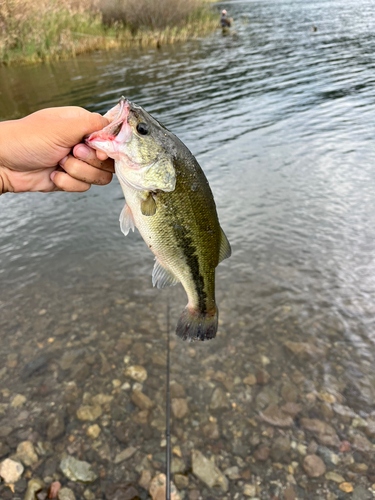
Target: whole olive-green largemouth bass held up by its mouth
point(169, 201)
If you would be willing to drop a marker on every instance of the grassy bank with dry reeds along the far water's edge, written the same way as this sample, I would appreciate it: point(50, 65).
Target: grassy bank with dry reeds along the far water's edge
point(32, 32)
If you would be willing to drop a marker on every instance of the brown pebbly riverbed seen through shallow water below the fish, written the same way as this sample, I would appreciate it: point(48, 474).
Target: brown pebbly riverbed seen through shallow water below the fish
point(260, 412)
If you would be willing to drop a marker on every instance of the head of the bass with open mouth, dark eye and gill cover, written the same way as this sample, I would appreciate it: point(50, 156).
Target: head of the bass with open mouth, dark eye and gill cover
point(141, 147)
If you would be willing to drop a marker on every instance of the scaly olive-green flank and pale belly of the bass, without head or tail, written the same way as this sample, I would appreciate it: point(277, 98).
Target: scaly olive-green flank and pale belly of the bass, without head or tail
point(181, 235)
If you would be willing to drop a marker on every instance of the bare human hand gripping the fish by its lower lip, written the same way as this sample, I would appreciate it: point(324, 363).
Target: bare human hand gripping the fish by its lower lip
point(35, 152)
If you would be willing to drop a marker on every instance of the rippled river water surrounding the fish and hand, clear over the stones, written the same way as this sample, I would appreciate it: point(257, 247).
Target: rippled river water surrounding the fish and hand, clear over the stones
point(279, 117)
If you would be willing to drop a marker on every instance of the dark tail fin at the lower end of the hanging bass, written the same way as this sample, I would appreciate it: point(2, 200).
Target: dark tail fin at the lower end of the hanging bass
point(195, 325)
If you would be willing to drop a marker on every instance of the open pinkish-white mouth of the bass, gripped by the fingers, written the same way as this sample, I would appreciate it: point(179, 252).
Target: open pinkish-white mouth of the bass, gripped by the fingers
point(116, 133)
